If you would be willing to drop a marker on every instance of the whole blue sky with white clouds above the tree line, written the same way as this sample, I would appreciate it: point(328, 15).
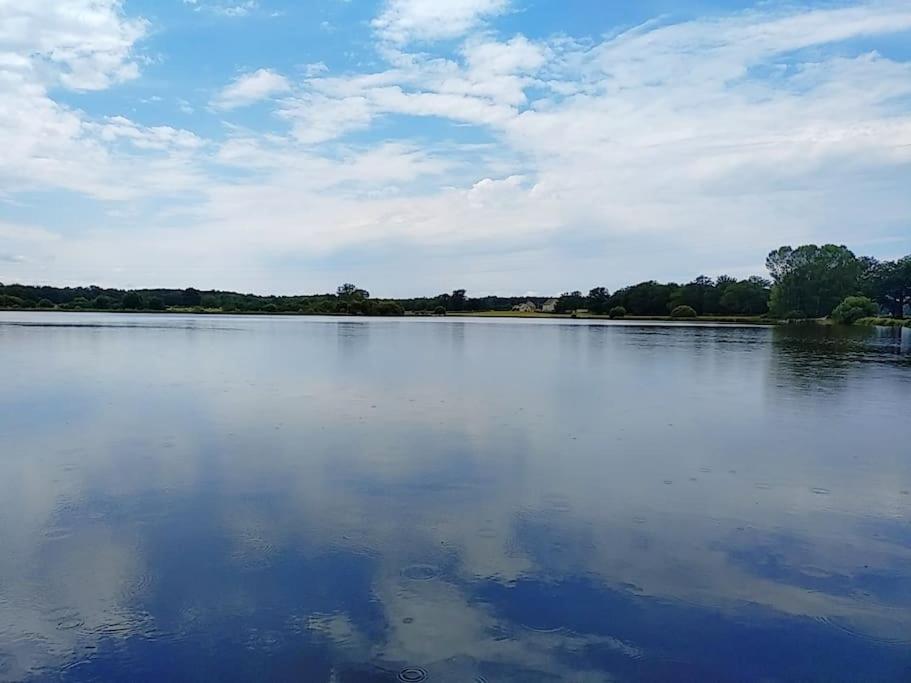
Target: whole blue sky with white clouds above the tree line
point(418, 146)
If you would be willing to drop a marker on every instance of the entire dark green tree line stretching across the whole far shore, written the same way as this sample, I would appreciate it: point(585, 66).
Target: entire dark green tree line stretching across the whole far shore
point(808, 281)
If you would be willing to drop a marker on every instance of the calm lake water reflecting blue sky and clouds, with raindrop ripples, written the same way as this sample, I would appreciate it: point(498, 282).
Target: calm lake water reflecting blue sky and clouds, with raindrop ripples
point(468, 500)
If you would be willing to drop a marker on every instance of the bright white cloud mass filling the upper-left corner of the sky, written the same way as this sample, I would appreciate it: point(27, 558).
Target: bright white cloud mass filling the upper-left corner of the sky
point(80, 45)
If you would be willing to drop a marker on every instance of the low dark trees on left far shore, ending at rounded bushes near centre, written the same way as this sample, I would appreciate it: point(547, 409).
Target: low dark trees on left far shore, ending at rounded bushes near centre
point(348, 299)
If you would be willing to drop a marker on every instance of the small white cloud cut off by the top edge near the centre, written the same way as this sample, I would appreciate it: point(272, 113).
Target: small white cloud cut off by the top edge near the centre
point(402, 21)
